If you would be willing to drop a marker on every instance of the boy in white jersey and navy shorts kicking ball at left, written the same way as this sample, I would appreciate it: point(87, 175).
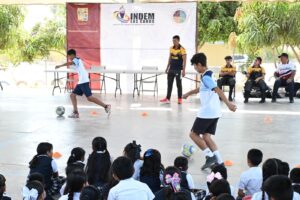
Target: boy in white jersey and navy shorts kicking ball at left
point(83, 86)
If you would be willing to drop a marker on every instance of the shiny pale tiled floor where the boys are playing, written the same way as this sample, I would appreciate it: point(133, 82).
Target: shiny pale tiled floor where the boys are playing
point(28, 117)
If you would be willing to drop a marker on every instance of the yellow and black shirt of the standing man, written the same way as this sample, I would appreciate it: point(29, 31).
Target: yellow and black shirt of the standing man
point(176, 62)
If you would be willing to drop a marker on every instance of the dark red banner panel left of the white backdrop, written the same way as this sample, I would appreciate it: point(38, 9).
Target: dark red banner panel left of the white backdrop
point(83, 35)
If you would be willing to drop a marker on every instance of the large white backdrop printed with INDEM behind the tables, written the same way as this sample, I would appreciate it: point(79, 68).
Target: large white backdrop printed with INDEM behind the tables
point(128, 45)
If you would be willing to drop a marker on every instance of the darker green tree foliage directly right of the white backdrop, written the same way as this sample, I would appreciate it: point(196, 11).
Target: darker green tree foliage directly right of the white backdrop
point(216, 21)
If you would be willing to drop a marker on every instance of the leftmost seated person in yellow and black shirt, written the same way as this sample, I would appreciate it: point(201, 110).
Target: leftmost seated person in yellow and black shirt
point(227, 76)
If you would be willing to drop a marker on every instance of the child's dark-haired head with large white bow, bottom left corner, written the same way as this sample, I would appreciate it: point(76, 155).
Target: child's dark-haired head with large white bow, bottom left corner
point(34, 190)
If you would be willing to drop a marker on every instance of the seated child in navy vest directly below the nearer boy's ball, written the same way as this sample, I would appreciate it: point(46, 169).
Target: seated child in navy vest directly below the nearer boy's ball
point(186, 178)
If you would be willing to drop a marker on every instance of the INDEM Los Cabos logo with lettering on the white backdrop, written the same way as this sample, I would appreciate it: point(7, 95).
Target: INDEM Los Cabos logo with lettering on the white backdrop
point(133, 18)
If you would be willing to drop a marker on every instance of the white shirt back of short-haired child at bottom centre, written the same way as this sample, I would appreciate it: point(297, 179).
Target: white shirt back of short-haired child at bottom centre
point(130, 189)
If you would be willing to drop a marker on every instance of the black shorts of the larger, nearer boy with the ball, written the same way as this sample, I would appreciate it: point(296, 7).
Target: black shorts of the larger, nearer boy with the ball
point(202, 126)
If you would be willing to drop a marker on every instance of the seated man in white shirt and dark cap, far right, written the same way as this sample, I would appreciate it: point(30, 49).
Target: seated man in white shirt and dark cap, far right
point(285, 75)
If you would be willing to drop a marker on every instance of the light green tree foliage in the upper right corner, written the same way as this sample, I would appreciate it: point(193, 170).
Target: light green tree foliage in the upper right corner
point(269, 25)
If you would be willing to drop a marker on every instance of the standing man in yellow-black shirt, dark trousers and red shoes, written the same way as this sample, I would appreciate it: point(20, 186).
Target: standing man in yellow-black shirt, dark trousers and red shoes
point(176, 66)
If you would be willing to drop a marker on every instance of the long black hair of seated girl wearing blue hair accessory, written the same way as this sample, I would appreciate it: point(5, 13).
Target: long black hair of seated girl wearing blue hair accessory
point(152, 163)
